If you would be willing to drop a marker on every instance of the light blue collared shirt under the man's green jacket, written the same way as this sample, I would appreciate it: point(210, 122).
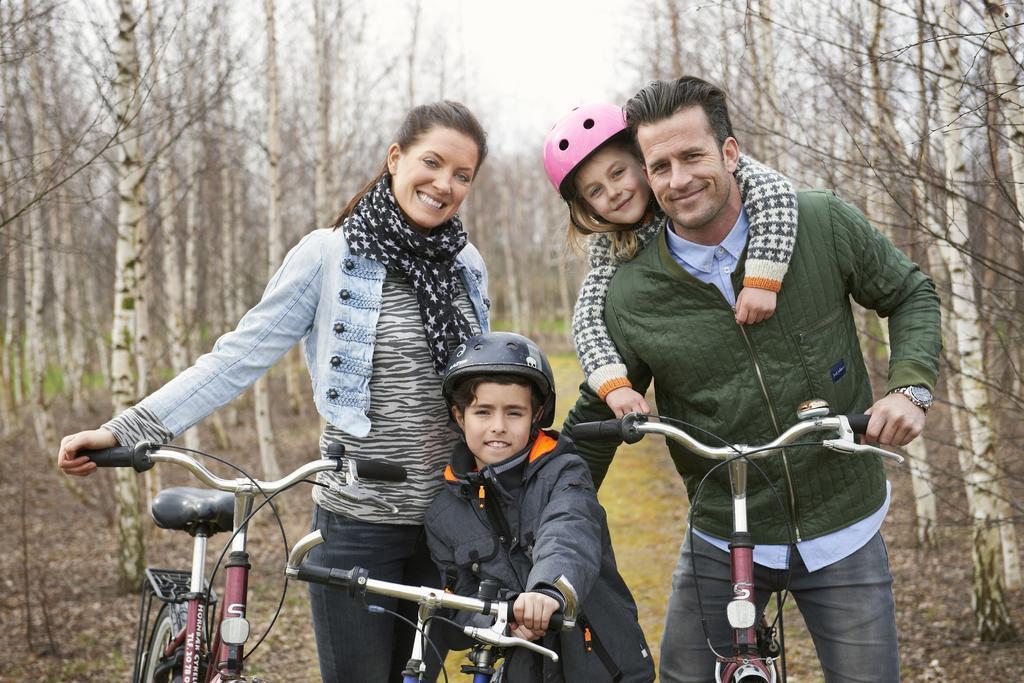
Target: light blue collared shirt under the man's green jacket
point(715, 265)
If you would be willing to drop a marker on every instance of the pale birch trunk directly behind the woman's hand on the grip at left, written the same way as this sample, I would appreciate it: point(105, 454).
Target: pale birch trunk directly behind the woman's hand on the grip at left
point(132, 215)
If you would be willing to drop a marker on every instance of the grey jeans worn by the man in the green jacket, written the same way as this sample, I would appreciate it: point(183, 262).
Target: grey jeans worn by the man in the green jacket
point(848, 608)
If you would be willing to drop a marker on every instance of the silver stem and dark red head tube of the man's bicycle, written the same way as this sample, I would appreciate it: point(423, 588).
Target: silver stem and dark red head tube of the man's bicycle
point(746, 665)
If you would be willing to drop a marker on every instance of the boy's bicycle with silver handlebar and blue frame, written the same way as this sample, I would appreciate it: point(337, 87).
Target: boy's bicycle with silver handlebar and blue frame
point(489, 602)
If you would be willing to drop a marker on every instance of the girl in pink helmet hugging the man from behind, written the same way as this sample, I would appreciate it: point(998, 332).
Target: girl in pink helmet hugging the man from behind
point(592, 162)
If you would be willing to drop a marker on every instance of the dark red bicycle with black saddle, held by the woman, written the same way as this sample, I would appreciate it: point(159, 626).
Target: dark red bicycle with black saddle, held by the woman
point(176, 649)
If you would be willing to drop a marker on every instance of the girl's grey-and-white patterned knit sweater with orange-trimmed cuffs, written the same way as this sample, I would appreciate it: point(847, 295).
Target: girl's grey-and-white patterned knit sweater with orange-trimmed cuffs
point(771, 203)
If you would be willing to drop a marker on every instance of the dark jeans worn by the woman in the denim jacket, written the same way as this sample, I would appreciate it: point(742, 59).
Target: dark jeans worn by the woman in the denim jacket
point(353, 645)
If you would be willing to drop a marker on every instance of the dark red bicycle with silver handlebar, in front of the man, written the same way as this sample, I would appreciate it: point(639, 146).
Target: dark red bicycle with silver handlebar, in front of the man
point(756, 653)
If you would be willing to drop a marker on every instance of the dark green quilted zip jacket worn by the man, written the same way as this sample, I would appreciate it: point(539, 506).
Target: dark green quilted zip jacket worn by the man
point(745, 382)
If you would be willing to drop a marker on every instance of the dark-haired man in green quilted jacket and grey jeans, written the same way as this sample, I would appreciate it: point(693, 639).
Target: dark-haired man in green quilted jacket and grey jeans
point(670, 314)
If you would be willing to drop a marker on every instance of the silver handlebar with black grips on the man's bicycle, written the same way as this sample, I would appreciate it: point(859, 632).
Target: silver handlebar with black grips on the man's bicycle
point(634, 426)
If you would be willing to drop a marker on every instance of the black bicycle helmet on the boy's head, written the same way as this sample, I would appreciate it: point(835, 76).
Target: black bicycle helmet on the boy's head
point(503, 354)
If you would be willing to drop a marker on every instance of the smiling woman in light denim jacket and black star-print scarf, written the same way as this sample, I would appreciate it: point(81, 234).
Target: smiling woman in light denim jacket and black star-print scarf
point(380, 301)
